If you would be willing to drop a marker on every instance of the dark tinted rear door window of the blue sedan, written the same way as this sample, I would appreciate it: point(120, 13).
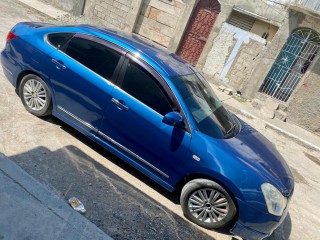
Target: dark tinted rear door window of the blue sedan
point(95, 56)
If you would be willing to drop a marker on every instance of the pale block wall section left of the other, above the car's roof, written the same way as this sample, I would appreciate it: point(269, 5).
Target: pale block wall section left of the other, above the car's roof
point(113, 13)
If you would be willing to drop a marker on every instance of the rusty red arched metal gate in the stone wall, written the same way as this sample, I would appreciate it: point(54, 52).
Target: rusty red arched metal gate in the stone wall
point(198, 30)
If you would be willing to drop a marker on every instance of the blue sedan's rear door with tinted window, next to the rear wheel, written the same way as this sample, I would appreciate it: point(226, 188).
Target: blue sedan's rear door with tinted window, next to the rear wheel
point(82, 73)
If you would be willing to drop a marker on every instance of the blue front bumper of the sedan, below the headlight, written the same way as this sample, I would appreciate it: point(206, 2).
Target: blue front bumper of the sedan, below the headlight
point(254, 224)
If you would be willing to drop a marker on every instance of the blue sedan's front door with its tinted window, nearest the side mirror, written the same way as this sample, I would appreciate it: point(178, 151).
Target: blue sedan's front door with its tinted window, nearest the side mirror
point(134, 124)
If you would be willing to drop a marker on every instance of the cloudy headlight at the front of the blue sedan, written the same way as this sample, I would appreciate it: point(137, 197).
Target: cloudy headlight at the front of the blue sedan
point(276, 202)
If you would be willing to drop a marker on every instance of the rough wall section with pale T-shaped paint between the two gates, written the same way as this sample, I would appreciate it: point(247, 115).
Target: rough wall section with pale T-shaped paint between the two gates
point(233, 56)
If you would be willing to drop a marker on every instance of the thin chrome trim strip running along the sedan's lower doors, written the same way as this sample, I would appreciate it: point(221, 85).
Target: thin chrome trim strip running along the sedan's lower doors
point(113, 141)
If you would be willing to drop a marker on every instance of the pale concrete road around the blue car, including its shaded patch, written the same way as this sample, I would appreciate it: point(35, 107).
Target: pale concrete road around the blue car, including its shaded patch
point(121, 201)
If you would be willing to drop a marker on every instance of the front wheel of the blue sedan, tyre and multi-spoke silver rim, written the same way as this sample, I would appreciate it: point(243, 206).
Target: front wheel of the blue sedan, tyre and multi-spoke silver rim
point(207, 204)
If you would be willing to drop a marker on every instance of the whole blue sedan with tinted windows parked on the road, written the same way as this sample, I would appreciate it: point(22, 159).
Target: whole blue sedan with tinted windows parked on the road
point(156, 112)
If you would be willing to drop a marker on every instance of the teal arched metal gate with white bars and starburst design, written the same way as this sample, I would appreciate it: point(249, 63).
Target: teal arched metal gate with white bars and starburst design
point(291, 64)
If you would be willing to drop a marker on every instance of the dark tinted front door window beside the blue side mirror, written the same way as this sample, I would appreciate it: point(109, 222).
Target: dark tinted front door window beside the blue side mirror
point(143, 87)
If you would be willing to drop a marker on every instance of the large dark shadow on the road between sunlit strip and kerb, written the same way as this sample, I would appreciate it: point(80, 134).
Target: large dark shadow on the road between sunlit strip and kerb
point(112, 203)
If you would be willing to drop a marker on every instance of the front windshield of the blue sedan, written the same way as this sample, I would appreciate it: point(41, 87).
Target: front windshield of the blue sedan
point(206, 109)
